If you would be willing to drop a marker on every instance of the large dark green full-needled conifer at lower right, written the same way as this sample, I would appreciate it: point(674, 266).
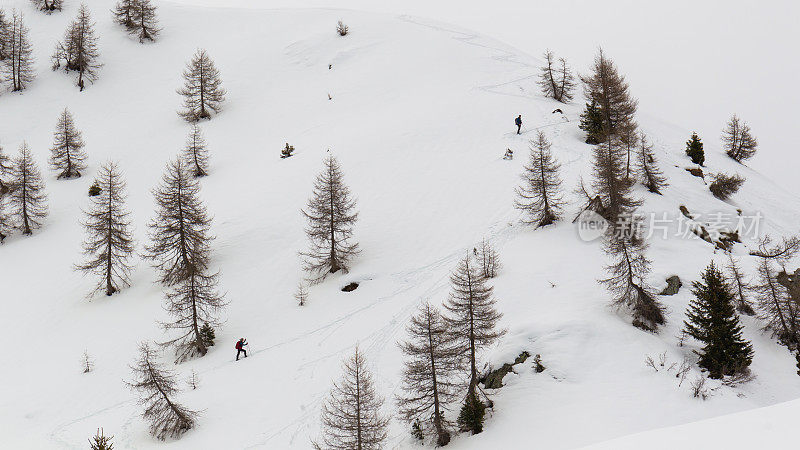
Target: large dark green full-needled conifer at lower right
point(712, 320)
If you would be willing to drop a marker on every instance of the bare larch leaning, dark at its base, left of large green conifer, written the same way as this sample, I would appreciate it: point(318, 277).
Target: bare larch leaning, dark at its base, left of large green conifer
point(627, 277)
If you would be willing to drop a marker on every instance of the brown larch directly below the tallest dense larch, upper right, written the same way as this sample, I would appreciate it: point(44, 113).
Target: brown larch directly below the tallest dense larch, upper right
point(610, 182)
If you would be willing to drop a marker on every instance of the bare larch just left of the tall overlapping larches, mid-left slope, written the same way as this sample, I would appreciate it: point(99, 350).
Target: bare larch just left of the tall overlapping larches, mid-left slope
point(109, 245)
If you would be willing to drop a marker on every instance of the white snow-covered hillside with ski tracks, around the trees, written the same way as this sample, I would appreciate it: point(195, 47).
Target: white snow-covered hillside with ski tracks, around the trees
point(419, 116)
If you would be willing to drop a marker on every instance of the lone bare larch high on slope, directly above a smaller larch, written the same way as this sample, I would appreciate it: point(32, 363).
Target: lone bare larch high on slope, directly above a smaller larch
point(202, 91)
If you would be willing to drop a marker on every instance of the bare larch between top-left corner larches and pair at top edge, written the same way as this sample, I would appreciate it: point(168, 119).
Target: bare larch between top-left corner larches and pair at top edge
point(78, 50)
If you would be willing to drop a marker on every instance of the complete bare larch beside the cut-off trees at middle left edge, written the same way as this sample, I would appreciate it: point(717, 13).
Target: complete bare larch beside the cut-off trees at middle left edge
point(28, 199)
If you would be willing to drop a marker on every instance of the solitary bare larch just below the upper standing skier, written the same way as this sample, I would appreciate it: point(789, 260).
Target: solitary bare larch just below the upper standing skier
point(539, 196)
